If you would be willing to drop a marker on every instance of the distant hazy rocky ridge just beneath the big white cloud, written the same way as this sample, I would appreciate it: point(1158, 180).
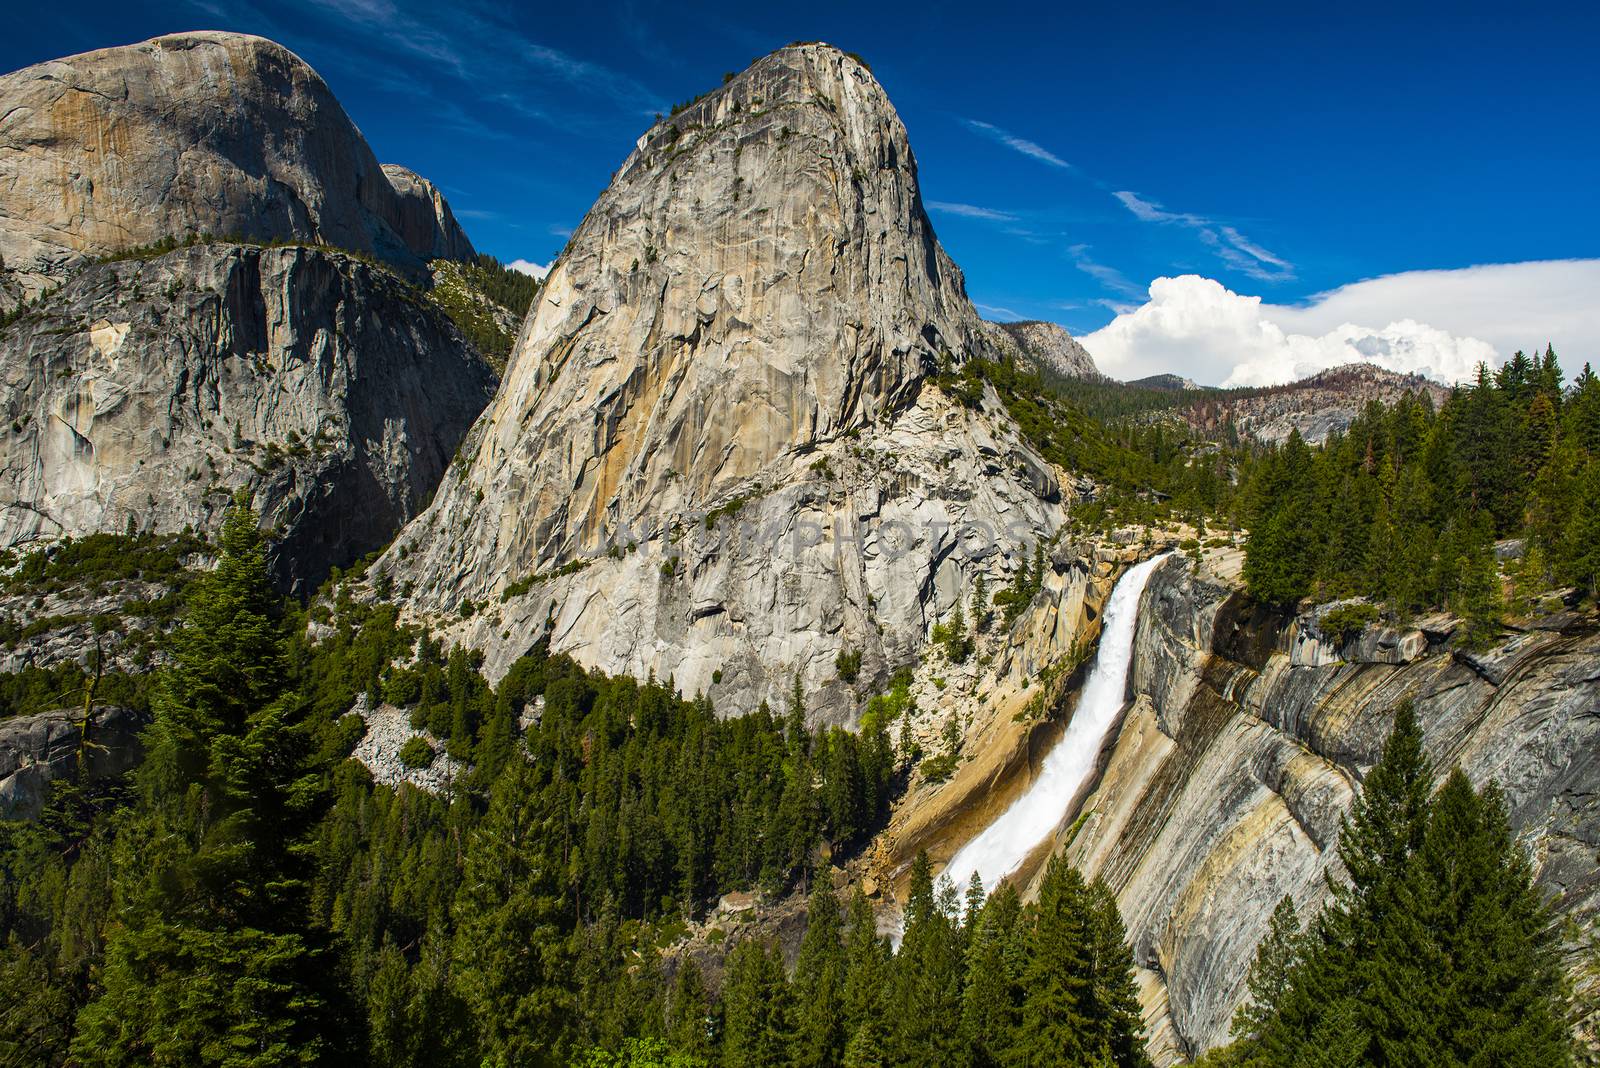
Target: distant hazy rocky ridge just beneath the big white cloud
point(1316, 407)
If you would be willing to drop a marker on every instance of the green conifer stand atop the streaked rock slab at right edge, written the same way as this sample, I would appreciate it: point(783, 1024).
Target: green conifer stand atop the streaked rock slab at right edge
point(1406, 506)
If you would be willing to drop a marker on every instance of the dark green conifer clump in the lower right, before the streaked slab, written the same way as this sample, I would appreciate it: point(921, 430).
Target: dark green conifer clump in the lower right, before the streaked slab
point(1436, 949)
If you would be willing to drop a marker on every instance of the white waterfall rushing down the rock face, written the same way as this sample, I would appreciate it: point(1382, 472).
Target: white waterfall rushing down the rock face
point(1006, 843)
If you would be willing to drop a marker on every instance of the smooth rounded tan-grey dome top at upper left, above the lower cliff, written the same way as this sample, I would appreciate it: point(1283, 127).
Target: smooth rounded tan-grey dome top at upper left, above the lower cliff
point(194, 133)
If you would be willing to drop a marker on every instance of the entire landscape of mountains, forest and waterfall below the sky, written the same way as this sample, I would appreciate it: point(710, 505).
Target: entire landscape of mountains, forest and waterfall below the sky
point(732, 648)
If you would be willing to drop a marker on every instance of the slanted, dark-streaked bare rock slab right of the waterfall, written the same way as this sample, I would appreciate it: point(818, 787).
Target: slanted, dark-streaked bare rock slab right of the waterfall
point(1242, 751)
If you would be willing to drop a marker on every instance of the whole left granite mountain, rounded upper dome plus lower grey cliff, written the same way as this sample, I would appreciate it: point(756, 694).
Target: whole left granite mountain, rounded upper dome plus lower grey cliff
point(142, 389)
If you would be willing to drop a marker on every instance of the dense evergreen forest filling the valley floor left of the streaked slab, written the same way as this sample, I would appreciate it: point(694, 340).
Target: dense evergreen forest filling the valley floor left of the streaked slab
point(250, 896)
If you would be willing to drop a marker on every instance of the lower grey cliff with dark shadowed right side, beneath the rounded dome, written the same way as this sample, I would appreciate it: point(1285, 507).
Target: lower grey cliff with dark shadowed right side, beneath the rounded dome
point(143, 393)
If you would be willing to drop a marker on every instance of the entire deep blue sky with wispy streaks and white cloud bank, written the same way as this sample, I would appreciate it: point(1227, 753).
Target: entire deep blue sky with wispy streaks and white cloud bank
point(1070, 154)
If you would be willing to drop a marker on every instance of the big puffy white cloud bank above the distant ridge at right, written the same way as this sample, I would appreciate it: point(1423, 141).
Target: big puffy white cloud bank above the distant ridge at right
point(1441, 324)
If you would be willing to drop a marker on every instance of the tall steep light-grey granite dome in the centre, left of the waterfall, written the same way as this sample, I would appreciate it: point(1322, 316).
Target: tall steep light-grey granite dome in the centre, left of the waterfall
point(716, 453)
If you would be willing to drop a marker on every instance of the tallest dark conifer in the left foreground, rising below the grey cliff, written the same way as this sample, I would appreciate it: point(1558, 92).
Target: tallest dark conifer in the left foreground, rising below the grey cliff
point(210, 962)
